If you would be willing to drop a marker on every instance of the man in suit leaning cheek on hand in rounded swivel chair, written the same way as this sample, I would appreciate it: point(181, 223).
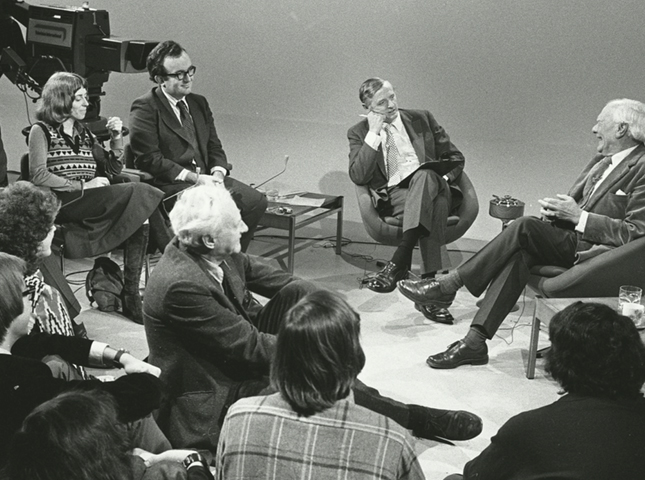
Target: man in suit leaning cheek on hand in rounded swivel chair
point(389, 151)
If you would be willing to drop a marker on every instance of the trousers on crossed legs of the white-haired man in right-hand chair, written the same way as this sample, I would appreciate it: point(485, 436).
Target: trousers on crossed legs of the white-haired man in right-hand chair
point(504, 265)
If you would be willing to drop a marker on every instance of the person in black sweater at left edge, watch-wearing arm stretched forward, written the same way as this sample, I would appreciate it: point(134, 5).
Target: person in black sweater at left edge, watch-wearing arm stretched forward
point(26, 382)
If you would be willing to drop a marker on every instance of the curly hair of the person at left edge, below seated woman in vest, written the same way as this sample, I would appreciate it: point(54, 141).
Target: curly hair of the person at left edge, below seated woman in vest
point(27, 215)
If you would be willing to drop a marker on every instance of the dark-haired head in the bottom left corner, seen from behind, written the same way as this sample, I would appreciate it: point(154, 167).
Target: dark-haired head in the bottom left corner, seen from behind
point(75, 436)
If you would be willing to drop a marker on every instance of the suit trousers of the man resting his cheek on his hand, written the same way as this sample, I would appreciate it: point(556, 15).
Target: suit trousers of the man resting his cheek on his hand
point(423, 200)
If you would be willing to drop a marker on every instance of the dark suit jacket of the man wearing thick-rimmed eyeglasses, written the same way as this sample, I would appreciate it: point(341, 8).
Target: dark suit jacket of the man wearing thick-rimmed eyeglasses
point(160, 143)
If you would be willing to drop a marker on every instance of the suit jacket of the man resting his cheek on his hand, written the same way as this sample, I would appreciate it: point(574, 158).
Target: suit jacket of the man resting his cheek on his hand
point(429, 139)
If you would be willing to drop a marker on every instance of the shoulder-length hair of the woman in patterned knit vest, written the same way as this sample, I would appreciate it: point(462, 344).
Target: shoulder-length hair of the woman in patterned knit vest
point(57, 97)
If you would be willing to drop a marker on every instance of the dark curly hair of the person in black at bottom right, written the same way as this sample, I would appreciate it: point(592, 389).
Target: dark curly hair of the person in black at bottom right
point(596, 352)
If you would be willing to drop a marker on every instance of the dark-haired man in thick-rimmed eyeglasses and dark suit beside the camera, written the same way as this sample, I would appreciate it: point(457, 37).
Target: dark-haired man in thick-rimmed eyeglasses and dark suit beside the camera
point(173, 136)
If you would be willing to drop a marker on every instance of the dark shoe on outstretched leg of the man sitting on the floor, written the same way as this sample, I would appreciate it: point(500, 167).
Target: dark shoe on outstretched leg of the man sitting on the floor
point(449, 424)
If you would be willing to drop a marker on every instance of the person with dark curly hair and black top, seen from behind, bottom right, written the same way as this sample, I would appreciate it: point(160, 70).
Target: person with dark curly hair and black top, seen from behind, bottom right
point(597, 429)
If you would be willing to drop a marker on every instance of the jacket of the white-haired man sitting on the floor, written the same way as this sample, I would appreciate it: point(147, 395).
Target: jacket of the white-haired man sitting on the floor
point(203, 340)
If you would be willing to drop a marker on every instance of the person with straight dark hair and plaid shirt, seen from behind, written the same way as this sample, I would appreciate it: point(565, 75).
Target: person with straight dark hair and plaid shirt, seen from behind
point(312, 428)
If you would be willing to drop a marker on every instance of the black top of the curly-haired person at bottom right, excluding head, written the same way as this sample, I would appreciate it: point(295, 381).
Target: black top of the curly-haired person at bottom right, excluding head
point(574, 438)
